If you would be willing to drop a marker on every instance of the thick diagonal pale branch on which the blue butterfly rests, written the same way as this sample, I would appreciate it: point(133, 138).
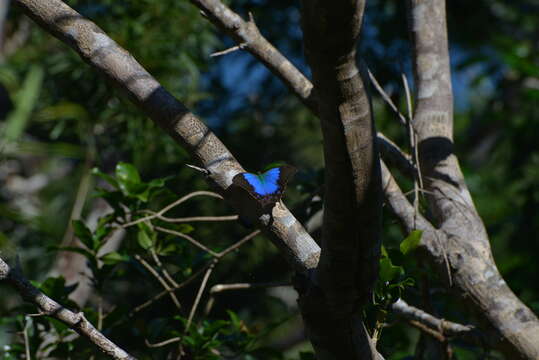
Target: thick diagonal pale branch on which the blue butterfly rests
point(109, 59)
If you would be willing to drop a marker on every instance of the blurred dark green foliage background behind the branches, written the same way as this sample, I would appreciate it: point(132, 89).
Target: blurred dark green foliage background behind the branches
point(59, 119)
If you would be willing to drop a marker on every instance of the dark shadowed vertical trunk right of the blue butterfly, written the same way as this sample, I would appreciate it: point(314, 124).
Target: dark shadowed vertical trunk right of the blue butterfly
point(353, 196)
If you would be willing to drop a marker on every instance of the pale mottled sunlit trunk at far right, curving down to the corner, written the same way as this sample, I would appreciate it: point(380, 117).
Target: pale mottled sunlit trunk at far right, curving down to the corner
point(466, 243)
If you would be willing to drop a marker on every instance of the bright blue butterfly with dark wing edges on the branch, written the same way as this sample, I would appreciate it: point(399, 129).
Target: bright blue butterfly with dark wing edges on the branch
point(267, 188)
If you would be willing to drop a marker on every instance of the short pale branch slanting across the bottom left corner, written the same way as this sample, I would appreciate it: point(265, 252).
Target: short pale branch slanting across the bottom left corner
point(49, 307)
